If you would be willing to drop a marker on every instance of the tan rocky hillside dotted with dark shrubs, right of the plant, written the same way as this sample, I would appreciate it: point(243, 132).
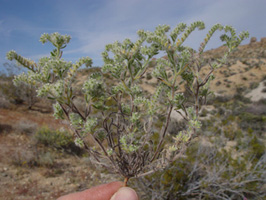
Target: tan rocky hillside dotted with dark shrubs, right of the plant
point(246, 68)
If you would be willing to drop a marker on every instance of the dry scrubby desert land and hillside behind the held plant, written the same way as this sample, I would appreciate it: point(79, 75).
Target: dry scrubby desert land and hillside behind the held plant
point(234, 129)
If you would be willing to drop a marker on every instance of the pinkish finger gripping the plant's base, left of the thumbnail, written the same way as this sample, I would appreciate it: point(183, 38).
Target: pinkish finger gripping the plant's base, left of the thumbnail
point(101, 192)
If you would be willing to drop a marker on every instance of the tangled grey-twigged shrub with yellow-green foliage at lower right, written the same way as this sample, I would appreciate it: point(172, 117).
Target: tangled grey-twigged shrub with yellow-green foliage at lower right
point(207, 173)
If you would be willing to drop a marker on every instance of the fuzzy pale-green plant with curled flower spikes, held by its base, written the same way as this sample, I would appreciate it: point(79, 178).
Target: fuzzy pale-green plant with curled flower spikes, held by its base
point(123, 134)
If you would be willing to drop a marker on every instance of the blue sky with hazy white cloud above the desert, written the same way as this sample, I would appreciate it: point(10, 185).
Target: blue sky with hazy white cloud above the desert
point(94, 23)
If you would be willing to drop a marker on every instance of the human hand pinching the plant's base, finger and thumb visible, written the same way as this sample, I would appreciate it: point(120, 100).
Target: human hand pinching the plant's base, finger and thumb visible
point(110, 191)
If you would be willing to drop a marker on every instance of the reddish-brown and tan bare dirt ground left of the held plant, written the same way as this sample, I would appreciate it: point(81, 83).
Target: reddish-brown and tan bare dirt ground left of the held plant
point(21, 180)
